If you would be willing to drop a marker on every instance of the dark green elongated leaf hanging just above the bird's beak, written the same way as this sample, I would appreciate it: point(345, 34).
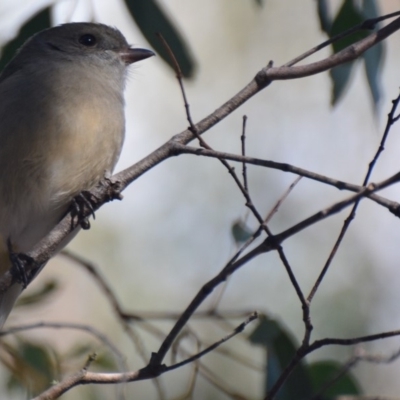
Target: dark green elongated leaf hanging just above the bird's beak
point(151, 19)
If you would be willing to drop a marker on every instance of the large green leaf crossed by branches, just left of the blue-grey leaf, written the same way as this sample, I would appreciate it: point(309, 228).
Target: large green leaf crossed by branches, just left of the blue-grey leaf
point(348, 16)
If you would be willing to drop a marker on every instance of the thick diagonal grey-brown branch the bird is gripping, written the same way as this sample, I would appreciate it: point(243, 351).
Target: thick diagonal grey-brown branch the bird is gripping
point(111, 188)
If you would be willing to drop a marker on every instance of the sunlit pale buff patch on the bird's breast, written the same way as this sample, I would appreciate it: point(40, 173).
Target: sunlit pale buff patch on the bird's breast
point(86, 144)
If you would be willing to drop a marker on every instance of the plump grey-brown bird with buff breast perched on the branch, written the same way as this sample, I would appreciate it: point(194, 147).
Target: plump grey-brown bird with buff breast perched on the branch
point(62, 128)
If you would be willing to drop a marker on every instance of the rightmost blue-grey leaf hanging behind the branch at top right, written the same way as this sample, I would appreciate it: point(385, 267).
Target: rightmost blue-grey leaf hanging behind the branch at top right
point(373, 57)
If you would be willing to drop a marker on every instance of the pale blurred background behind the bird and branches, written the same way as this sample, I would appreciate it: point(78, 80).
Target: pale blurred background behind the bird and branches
point(173, 230)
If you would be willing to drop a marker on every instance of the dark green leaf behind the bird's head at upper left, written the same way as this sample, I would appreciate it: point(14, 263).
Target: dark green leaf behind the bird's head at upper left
point(37, 23)
